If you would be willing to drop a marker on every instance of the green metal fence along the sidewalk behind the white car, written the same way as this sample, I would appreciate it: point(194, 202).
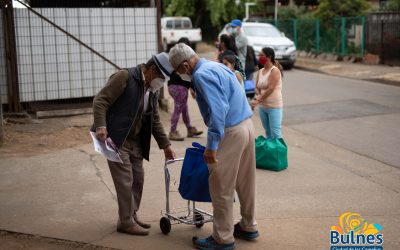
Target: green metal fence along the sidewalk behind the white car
point(342, 36)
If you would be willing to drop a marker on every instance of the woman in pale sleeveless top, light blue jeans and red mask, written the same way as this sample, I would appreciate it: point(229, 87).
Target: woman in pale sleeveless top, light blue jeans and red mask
point(269, 95)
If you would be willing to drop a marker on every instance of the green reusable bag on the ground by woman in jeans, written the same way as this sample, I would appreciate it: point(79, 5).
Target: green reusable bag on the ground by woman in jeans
point(271, 154)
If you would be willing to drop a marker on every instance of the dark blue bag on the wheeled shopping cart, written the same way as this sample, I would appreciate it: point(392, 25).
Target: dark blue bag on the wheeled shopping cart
point(193, 184)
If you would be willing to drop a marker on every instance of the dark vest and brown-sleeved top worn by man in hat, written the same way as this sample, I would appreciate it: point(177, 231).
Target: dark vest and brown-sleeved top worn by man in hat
point(119, 107)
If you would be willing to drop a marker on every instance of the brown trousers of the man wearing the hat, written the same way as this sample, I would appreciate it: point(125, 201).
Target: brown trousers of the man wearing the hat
point(128, 178)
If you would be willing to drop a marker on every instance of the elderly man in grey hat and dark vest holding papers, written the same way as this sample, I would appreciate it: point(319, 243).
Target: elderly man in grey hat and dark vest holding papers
point(126, 111)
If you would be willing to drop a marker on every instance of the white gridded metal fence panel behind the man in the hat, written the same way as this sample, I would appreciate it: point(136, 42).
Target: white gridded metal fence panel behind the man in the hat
point(52, 65)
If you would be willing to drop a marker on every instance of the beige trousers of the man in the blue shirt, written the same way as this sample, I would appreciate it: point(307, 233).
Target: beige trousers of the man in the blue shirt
point(235, 170)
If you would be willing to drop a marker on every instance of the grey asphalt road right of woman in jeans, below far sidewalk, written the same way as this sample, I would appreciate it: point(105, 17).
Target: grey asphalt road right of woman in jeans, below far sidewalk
point(360, 116)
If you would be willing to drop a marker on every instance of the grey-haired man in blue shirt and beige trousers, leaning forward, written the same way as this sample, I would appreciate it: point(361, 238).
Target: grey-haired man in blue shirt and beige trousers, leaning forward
point(230, 152)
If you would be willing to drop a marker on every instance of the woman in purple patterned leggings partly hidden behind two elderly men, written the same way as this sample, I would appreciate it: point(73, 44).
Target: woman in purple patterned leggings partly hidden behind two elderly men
point(178, 89)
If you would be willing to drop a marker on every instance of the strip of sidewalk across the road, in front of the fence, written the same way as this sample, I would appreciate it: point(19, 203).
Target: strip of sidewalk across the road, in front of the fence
point(376, 73)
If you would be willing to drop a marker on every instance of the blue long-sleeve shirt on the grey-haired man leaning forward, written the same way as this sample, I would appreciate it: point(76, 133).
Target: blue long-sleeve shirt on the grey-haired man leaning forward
point(221, 99)
